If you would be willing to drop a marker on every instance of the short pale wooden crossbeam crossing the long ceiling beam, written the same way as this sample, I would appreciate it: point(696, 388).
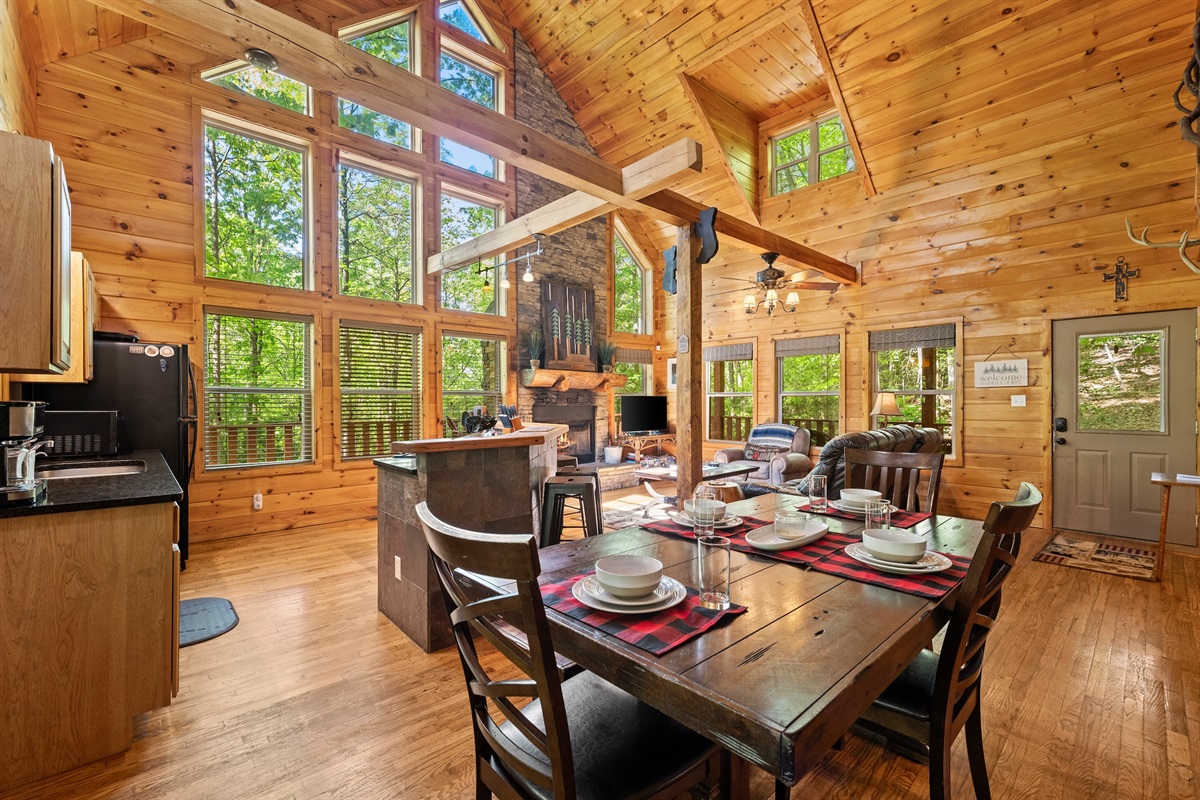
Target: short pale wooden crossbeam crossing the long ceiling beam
point(658, 171)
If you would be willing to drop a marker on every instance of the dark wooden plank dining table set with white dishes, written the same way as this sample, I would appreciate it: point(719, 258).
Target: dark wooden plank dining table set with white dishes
point(779, 684)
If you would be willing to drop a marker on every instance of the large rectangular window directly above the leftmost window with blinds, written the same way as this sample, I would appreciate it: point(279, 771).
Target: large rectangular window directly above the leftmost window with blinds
point(255, 201)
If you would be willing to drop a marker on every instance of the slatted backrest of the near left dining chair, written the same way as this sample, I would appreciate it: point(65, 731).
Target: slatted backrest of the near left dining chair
point(508, 558)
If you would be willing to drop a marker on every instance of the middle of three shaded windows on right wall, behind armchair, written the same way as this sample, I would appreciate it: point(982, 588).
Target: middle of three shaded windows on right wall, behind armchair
point(811, 384)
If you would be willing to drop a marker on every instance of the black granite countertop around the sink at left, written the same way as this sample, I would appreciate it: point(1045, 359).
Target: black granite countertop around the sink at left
point(157, 485)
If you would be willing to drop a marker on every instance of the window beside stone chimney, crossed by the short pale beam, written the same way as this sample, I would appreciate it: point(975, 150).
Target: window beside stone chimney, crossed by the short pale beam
point(470, 288)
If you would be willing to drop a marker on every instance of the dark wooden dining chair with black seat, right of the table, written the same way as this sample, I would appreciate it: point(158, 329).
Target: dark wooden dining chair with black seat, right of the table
point(937, 697)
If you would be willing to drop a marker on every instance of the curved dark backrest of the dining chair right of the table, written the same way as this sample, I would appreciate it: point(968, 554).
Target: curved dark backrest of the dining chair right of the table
point(977, 607)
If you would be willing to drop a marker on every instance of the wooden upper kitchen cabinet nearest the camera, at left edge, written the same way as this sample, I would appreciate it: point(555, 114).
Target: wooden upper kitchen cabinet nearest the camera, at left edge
point(35, 258)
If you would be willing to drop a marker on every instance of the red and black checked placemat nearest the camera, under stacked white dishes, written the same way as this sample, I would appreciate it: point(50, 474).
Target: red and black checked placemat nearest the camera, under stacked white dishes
point(657, 633)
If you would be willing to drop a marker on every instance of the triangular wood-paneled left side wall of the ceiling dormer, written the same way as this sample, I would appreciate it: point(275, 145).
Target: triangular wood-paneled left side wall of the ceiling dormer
point(725, 123)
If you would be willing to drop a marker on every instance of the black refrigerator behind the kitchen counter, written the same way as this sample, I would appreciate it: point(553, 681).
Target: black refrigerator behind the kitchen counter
point(153, 390)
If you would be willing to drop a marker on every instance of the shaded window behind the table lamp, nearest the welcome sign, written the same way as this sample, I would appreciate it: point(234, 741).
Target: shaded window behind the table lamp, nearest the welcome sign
point(919, 365)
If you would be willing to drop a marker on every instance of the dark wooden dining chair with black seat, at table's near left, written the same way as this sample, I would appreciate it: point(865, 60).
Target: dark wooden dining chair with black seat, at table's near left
point(577, 738)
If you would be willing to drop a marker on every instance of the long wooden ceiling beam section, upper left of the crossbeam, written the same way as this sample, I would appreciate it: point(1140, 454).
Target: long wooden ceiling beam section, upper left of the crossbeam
point(227, 28)
